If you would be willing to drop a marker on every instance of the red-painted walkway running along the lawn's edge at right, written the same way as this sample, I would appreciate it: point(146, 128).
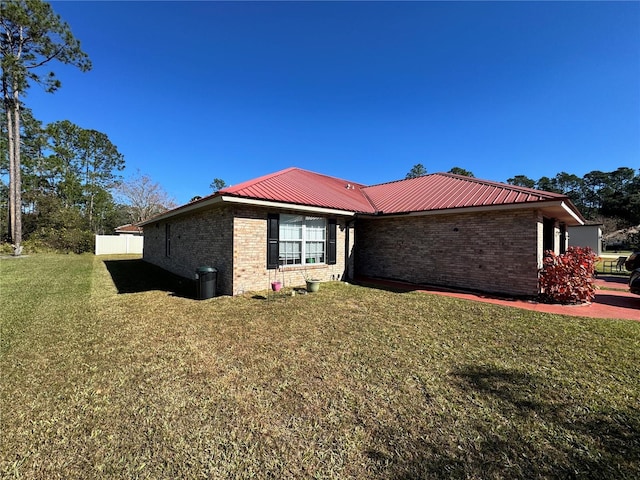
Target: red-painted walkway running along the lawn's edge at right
point(613, 299)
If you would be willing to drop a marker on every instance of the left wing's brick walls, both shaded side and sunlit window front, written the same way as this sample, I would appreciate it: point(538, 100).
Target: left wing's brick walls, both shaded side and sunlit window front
point(233, 239)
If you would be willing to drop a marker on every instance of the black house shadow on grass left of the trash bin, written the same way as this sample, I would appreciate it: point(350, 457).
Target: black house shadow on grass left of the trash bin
point(135, 276)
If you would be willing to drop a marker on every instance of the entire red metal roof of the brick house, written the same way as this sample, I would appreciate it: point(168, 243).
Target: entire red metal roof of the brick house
point(438, 191)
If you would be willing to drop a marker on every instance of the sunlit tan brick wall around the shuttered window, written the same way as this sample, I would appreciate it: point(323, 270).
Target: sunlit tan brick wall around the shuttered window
point(250, 254)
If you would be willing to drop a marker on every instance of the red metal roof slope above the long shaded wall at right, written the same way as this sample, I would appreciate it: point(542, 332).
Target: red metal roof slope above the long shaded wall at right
point(441, 191)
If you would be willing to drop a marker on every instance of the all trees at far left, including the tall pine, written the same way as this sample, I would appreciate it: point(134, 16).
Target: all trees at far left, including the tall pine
point(64, 181)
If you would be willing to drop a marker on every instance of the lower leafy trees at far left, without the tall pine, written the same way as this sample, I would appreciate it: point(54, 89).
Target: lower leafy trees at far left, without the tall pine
point(72, 187)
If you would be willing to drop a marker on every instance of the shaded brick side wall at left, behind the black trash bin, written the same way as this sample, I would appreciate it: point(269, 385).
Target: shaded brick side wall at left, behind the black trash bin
point(200, 238)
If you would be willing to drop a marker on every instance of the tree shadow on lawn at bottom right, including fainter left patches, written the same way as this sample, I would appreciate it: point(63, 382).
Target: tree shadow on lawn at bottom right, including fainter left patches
point(512, 424)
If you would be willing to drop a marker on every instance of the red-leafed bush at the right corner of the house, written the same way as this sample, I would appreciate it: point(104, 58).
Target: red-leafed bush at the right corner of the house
point(568, 278)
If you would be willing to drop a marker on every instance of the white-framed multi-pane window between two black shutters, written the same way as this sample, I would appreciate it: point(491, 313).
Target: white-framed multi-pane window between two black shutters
point(302, 240)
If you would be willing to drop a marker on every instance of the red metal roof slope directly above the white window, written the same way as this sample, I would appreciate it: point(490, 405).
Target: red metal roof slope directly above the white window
point(302, 187)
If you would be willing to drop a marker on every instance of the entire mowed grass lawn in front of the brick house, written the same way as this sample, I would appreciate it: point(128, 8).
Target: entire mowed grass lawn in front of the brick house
point(108, 373)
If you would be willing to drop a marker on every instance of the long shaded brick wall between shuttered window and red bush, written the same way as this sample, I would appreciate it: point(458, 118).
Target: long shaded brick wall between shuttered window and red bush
point(492, 252)
